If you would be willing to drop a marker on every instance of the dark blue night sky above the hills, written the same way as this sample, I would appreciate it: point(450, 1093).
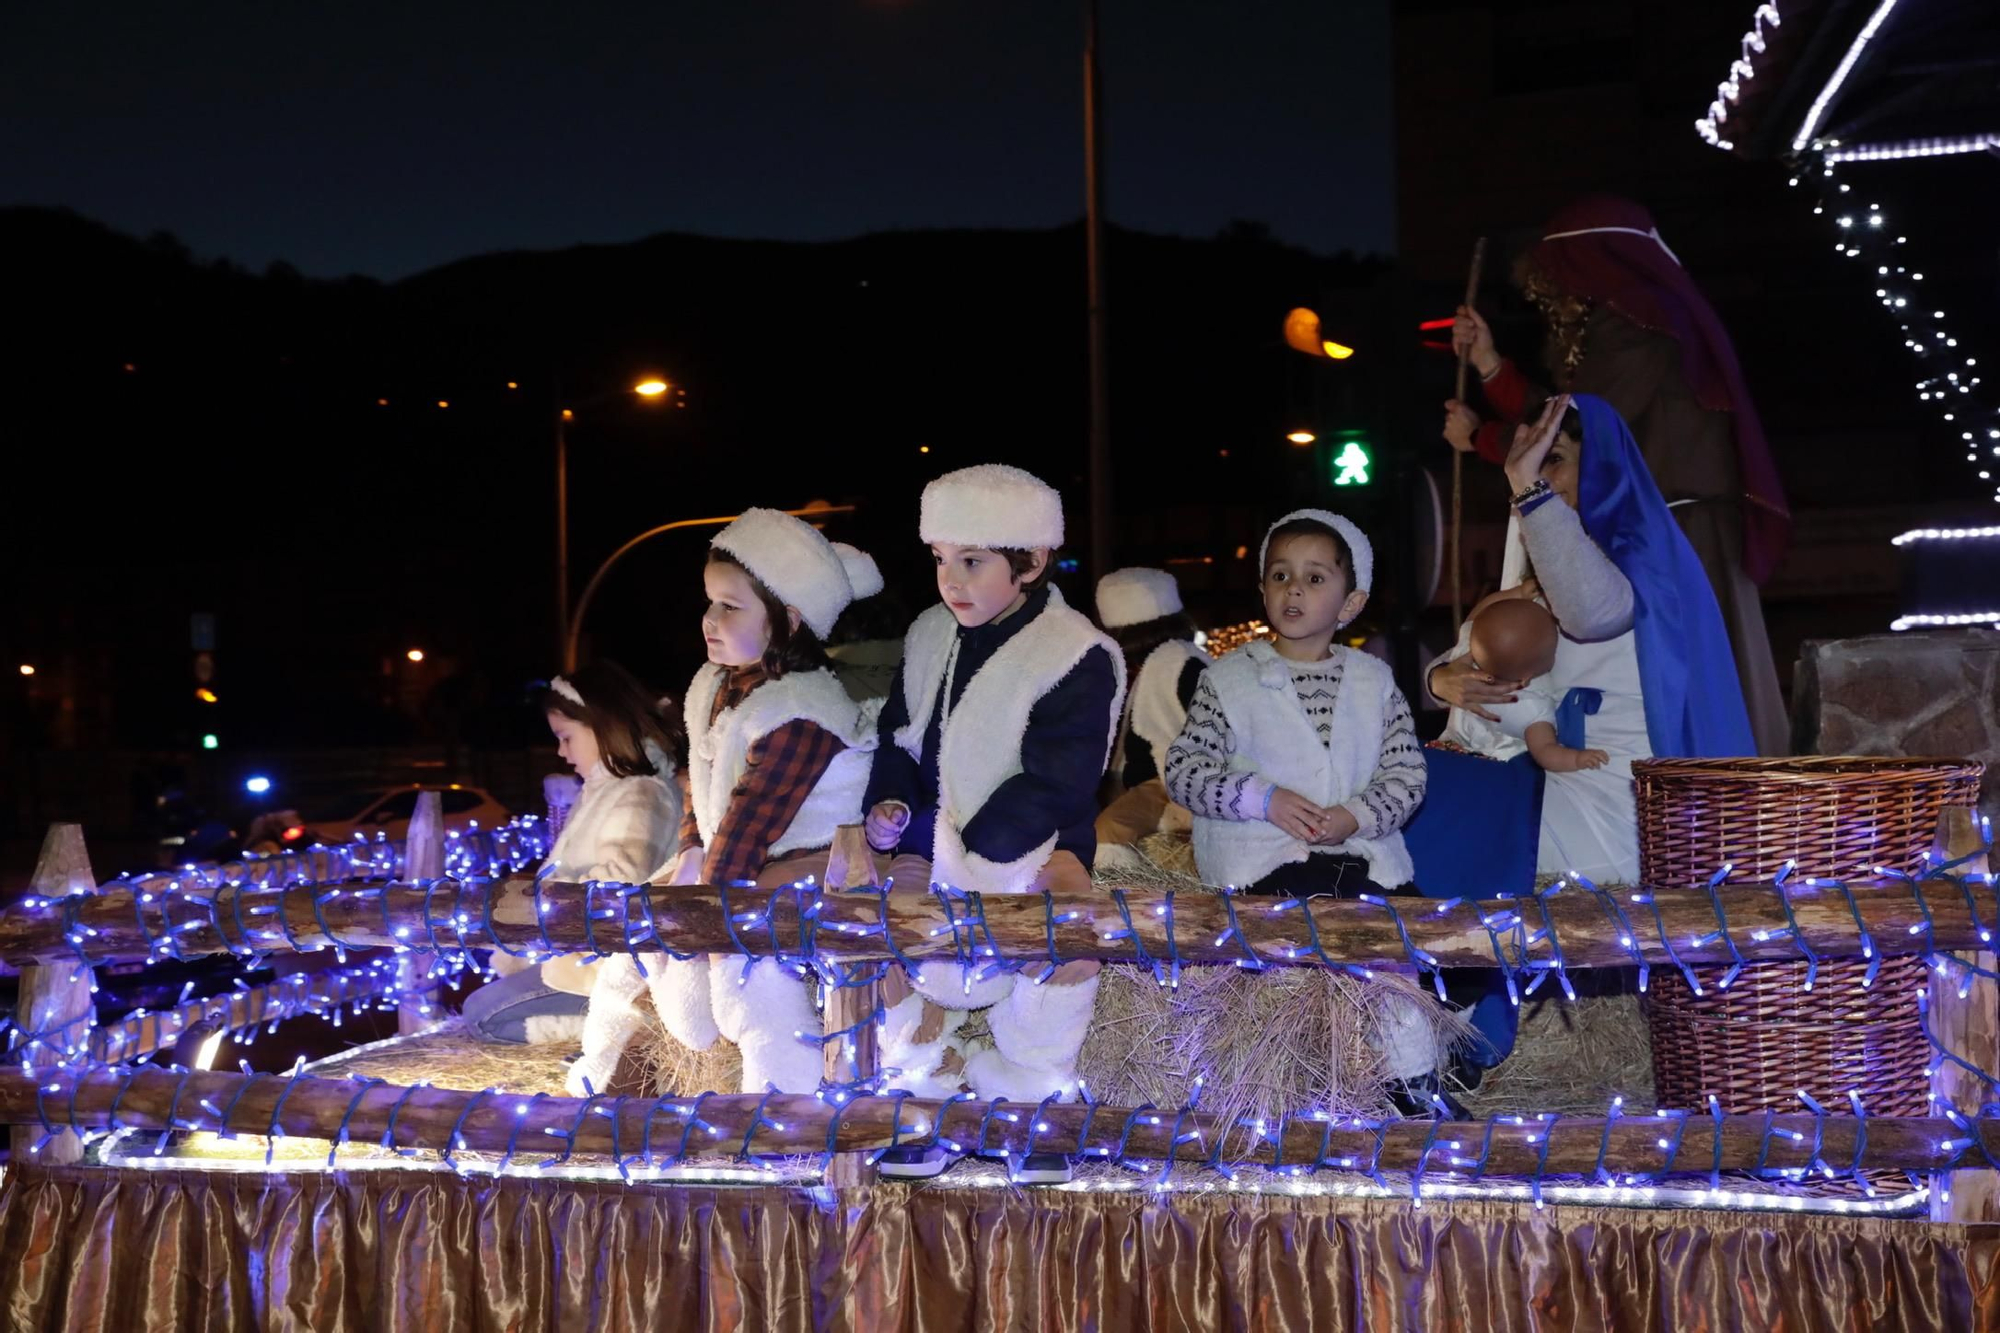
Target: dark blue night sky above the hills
point(389, 139)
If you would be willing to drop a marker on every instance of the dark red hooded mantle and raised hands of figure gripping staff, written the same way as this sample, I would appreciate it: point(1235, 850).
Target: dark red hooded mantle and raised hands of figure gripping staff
point(1627, 323)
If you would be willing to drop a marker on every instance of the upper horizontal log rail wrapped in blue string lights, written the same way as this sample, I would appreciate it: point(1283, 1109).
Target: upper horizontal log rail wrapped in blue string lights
point(1611, 930)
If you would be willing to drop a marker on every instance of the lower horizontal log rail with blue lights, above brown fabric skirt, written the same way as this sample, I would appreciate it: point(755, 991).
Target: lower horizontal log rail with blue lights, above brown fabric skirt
point(499, 1122)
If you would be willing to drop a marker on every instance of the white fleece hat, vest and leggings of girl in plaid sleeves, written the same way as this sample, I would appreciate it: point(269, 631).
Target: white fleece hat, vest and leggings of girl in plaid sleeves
point(767, 1010)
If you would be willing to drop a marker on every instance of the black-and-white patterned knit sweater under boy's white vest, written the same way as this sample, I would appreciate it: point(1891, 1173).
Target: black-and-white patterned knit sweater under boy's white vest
point(1199, 778)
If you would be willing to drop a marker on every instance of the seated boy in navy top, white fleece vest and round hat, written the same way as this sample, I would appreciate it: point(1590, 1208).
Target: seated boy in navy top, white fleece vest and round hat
point(991, 750)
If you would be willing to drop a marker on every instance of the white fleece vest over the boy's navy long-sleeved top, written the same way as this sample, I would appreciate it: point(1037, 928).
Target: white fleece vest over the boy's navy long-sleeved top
point(979, 744)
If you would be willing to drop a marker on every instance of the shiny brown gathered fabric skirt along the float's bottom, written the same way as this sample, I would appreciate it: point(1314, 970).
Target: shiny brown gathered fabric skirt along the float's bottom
point(427, 1252)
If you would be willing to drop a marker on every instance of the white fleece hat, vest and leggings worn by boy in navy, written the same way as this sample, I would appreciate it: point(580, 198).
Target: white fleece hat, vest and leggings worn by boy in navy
point(1037, 1030)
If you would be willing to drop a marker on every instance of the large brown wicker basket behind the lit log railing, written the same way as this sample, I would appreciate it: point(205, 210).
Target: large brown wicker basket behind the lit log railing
point(1765, 1038)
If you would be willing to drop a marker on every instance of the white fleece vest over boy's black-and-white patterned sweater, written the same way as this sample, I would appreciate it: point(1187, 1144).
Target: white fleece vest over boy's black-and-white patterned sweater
point(1277, 742)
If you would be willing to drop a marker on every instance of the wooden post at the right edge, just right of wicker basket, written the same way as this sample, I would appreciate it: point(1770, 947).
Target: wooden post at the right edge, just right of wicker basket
point(1969, 1028)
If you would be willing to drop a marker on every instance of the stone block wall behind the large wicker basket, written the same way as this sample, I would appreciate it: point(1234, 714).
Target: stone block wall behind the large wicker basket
point(1915, 694)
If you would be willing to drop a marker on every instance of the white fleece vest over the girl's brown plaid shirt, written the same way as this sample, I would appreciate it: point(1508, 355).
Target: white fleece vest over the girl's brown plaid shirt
point(721, 752)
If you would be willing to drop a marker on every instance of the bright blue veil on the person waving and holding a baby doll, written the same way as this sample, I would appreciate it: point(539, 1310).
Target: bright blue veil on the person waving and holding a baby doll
point(1695, 702)
